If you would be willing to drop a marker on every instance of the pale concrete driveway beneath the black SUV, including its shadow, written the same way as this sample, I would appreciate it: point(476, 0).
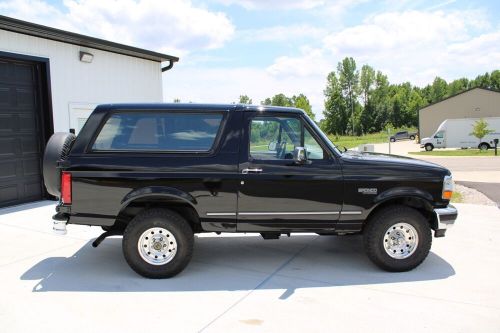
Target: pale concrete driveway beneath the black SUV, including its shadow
point(304, 283)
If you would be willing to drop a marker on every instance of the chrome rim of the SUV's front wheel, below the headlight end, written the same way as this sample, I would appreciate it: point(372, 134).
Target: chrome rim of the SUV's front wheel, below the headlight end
point(400, 240)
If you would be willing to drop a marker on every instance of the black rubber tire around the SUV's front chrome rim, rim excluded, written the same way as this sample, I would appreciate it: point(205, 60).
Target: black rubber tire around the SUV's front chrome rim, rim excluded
point(374, 232)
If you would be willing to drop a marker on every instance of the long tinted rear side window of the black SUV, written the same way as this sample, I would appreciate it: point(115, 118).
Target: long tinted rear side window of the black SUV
point(159, 131)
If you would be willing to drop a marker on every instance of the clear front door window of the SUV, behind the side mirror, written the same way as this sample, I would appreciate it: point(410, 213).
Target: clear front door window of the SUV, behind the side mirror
point(275, 138)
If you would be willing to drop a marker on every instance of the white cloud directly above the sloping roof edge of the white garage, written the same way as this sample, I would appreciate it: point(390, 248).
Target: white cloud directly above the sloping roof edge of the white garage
point(175, 27)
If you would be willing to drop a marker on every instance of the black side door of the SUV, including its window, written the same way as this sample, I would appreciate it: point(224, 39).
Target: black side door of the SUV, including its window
point(277, 194)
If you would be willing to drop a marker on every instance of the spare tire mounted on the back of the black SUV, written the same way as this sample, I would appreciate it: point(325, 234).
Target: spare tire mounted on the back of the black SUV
point(57, 149)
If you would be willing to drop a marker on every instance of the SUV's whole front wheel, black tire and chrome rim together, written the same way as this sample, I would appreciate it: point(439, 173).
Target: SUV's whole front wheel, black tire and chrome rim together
point(397, 239)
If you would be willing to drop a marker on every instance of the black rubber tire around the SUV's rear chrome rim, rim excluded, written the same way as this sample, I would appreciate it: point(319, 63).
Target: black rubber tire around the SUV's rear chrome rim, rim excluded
point(158, 218)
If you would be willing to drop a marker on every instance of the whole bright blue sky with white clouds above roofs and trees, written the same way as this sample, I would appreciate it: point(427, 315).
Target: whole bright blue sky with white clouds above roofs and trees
point(261, 48)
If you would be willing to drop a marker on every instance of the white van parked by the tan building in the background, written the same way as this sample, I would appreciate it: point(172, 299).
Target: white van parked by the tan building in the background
point(455, 133)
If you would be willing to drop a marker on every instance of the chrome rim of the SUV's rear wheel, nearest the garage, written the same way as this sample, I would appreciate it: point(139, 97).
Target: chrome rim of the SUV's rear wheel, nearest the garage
point(157, 246)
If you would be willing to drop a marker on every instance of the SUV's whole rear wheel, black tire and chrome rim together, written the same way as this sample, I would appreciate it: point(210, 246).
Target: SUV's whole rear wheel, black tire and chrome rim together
point(158, 243)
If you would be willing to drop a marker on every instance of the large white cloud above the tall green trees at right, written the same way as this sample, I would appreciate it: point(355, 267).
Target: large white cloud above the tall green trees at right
point(410, 46)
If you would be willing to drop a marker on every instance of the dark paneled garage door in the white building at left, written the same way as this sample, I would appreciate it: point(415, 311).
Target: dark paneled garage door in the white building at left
point(20, 133)
